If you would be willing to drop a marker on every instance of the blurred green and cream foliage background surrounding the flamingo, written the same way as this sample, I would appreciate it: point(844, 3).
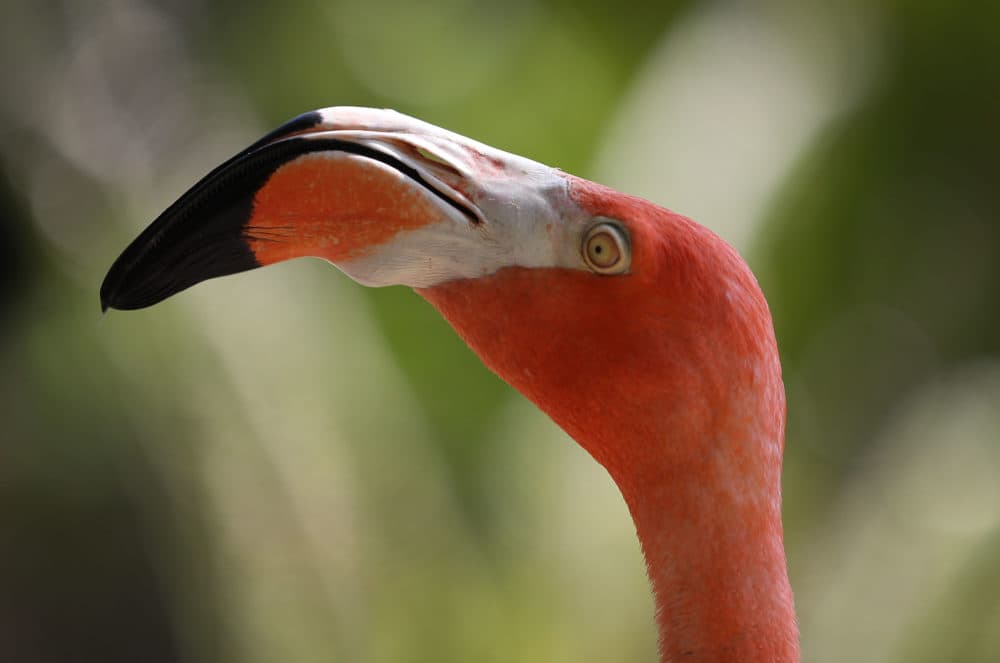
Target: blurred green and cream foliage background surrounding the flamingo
point(282, 466)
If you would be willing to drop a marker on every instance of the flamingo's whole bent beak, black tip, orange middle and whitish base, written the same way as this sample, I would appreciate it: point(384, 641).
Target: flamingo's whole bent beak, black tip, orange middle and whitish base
point(386, 198)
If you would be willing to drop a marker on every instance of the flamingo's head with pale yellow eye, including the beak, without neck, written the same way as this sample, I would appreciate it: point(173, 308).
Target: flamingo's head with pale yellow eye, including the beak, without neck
point(562, 286)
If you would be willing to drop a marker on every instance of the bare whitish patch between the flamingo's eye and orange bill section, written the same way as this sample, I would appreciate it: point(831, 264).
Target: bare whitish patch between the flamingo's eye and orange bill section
point(526, 217)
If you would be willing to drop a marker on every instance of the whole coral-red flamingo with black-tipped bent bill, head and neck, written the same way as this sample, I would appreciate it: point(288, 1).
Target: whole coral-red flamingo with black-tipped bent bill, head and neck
point(641, 333)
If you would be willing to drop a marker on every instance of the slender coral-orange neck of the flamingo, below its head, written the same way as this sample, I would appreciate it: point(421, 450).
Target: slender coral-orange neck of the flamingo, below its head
point(700, 469)
